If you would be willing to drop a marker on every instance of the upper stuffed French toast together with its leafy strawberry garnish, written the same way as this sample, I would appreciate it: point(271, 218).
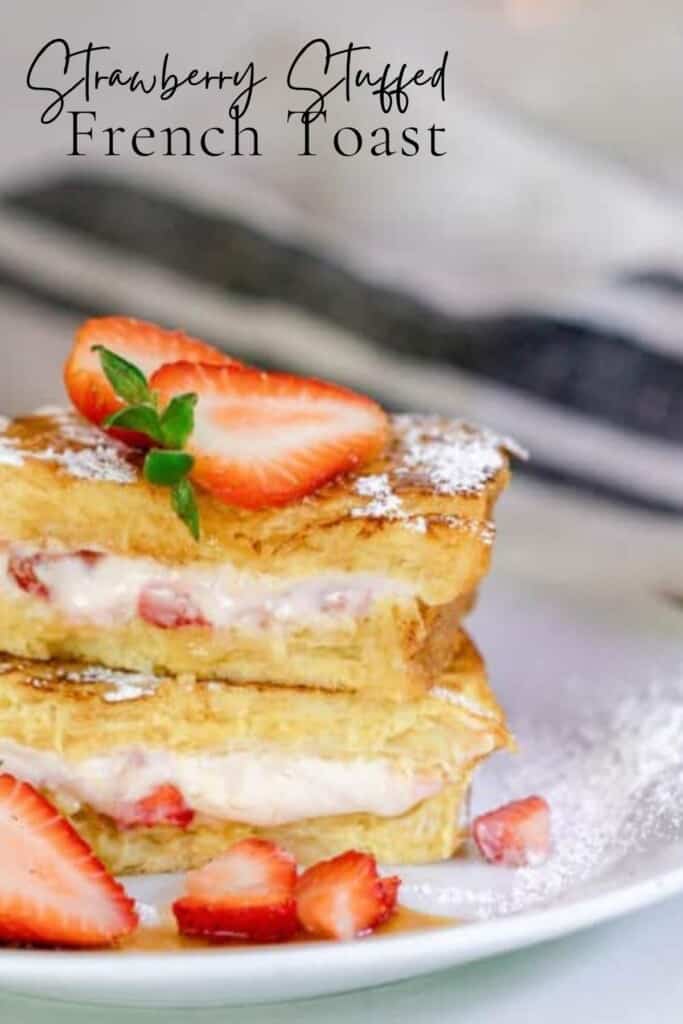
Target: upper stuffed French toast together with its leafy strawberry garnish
point(261, 527)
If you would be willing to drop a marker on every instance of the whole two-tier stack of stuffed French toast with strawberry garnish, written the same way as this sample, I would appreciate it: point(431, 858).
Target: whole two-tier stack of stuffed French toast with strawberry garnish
point(232, 605)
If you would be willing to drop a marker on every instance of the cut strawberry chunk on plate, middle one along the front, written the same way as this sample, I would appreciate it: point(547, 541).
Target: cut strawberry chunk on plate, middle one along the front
point(247, 893)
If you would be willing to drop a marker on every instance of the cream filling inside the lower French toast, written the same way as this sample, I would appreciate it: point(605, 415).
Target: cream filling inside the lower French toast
point(255, 787)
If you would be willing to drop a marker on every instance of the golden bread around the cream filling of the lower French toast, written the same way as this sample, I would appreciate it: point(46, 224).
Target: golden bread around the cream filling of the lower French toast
point(69, 711)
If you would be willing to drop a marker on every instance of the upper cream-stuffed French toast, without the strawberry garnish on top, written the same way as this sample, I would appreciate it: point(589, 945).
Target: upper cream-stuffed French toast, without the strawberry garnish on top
point(362, 585)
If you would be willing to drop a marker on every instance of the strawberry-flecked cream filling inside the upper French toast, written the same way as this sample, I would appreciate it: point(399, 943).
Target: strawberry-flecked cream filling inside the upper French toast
point(108, 591)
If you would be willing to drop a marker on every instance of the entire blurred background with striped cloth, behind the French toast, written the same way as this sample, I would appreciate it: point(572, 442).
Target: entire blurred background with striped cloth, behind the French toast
point(532, 279)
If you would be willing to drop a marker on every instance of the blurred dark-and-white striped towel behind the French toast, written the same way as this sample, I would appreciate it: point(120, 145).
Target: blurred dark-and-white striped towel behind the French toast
point(594, 388)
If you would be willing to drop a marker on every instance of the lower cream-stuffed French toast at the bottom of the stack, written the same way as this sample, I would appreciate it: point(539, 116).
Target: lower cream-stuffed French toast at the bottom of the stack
point(318, 772)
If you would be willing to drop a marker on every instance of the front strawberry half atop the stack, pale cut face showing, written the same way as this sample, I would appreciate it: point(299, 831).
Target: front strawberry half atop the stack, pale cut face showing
point(264, 440)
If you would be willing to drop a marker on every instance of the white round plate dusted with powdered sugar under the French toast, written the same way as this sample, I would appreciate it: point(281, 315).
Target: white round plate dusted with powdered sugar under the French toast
point(595, 694)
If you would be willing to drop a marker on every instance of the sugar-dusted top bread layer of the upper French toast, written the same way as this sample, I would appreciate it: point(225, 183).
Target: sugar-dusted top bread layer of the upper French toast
point(420, 514)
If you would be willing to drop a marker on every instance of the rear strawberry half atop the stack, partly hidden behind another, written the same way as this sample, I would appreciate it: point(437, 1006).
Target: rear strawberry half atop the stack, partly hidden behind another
point(146, 346)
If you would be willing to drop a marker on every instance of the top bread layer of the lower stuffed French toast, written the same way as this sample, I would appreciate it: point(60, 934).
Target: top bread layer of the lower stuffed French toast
point(69, 710)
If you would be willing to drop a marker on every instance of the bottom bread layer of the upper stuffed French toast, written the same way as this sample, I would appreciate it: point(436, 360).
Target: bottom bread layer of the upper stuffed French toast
point(397, 651)
